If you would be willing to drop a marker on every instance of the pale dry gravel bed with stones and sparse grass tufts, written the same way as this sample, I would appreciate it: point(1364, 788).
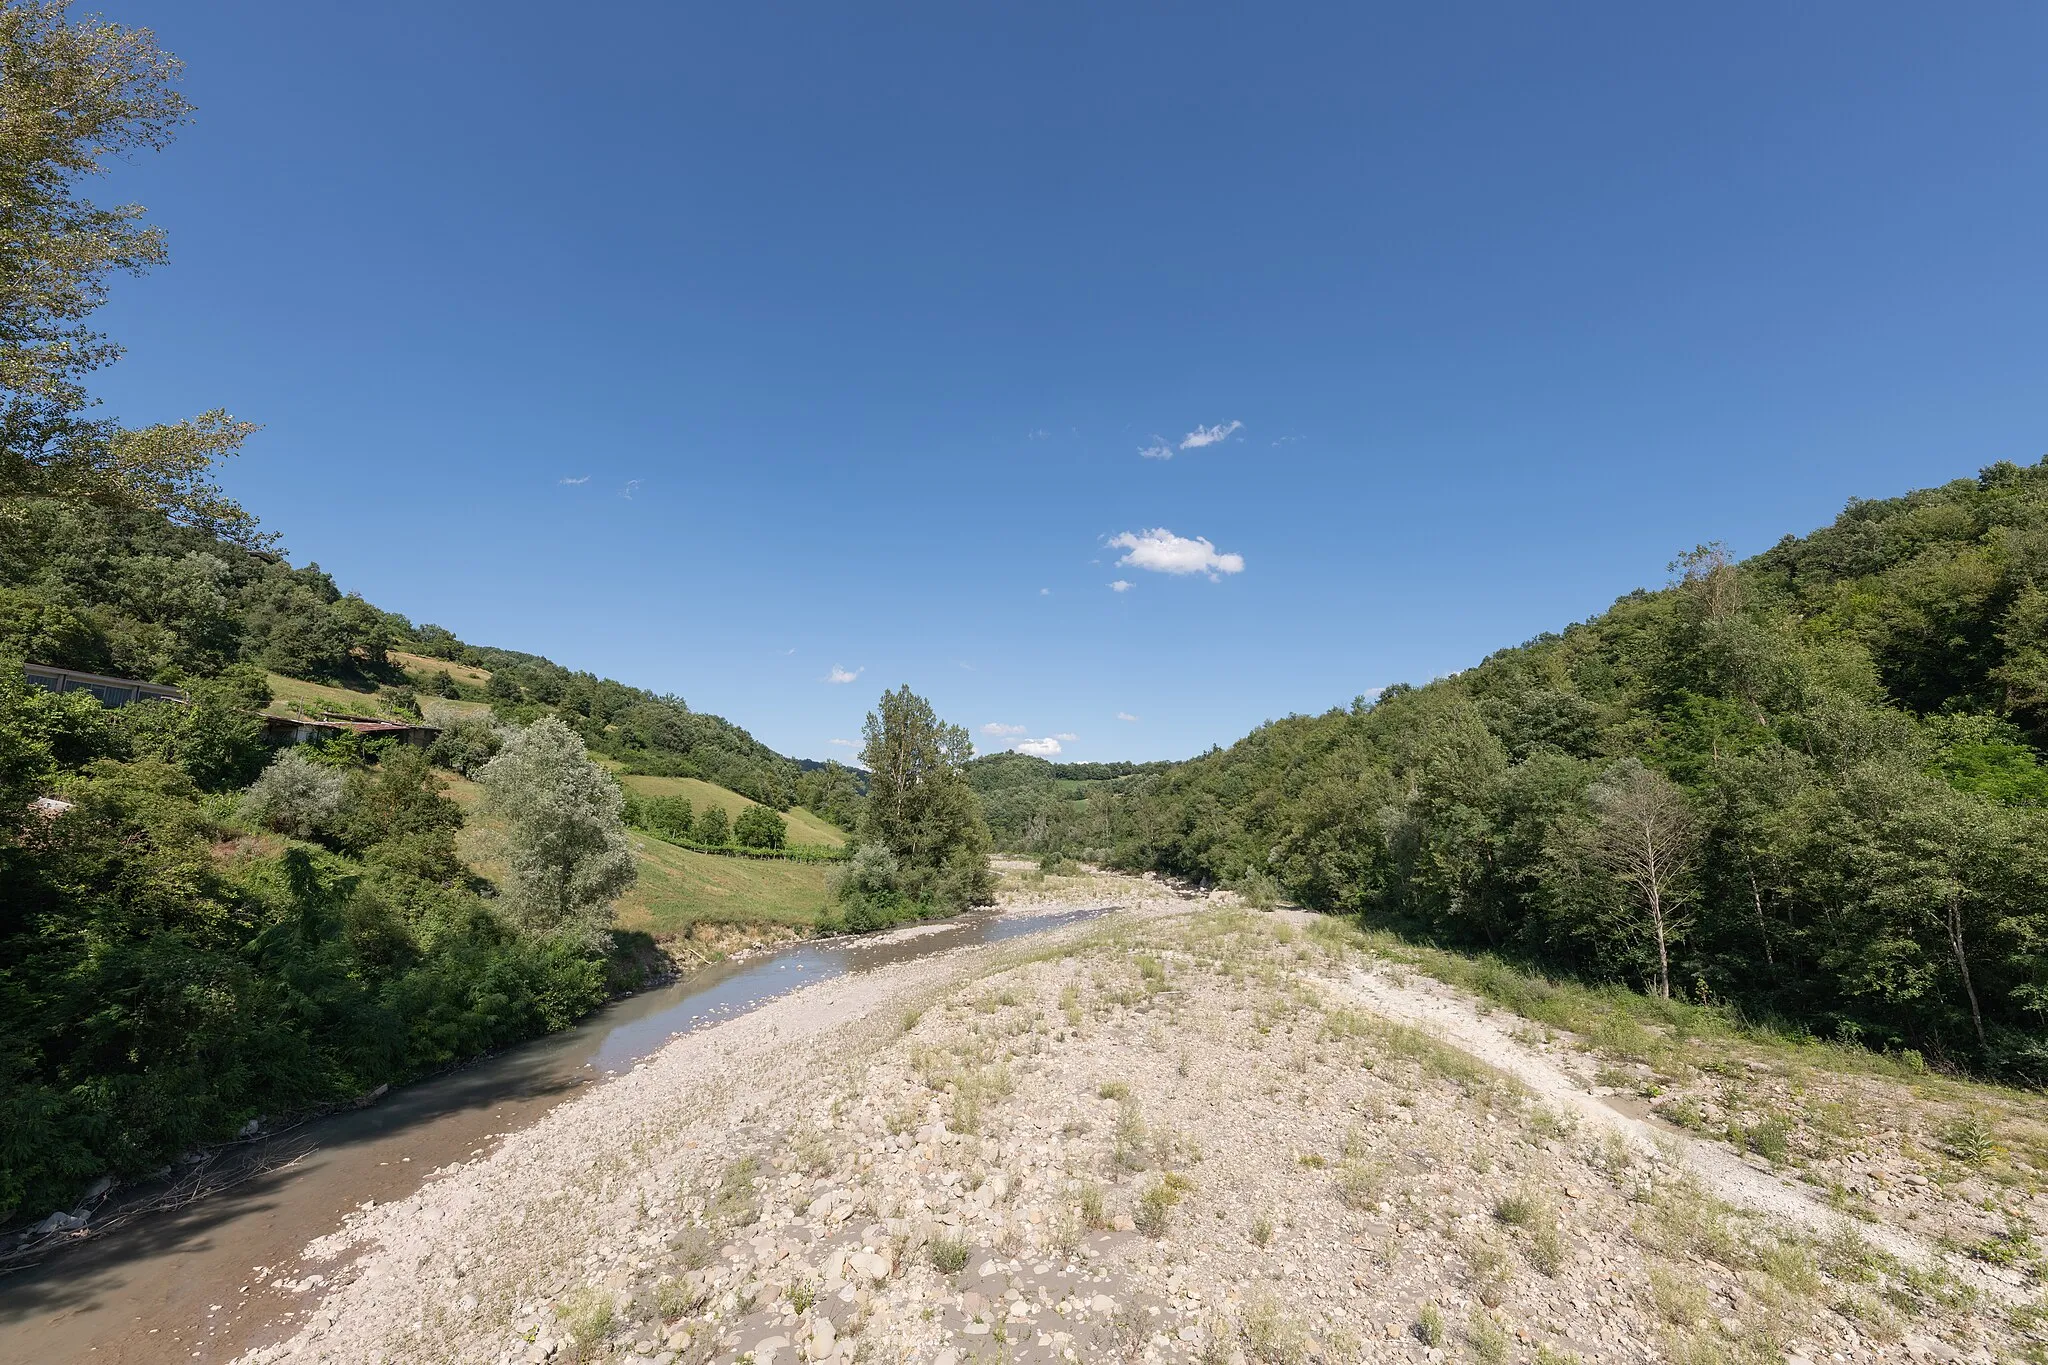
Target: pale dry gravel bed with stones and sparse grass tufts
point(1177, 1135)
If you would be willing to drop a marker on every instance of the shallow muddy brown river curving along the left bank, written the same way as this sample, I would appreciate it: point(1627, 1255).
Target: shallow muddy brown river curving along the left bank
point(191, 1284)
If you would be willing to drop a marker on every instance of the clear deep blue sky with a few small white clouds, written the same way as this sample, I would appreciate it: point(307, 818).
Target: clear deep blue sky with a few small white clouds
point(734, 349)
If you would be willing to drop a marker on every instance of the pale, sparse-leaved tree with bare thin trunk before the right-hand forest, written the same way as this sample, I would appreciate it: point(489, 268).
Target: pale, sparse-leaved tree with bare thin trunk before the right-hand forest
point(1646, 838)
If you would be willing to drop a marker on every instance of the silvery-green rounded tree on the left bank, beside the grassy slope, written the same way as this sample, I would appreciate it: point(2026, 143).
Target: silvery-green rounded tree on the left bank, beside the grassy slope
point(566, 842)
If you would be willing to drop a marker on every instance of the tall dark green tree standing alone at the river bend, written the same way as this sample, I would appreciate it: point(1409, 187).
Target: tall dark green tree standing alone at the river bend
point(921, 805)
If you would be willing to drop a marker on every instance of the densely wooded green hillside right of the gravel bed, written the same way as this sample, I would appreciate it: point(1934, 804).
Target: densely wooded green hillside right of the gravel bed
point(1809, 785)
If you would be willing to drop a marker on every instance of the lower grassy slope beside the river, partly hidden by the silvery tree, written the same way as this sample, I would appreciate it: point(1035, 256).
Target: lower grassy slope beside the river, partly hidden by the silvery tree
point(679, 889)
